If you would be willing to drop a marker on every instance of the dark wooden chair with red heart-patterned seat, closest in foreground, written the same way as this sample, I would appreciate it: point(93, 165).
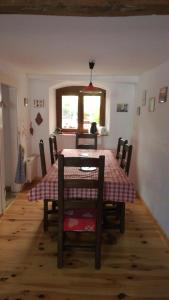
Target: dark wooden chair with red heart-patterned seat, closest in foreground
point(80, 215)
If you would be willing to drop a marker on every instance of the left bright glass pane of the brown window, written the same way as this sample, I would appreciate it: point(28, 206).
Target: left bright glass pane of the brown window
point(69, 112)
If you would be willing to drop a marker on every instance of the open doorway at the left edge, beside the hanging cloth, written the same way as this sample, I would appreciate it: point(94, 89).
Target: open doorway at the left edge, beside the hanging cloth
point(9, 120)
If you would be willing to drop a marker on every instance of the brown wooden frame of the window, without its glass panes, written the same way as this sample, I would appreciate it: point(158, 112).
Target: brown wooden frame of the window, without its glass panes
point(76, 91)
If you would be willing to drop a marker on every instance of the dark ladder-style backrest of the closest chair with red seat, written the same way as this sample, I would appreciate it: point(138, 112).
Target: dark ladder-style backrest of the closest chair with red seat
point(80, 182)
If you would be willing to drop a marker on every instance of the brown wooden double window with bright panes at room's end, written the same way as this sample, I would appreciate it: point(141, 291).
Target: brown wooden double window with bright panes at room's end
point(75, 111)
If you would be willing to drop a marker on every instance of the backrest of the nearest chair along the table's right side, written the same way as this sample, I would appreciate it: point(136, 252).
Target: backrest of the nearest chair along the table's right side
point(126, 158)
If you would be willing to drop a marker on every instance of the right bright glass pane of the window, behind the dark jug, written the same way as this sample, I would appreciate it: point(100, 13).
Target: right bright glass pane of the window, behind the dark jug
point(91, 110)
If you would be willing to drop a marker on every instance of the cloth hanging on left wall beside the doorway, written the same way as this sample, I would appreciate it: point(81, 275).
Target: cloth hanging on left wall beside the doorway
point(20, 171)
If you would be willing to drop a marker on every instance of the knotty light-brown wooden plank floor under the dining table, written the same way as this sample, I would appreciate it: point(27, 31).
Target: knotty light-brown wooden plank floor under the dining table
point(134, 265)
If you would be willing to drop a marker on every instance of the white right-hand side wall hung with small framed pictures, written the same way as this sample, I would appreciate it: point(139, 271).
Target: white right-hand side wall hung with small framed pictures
point(151, 141)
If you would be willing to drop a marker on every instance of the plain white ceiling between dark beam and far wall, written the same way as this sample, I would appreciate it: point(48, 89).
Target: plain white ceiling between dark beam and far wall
point(64, 45)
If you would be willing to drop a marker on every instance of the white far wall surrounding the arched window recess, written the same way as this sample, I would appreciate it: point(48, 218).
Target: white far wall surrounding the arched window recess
point(119, 90)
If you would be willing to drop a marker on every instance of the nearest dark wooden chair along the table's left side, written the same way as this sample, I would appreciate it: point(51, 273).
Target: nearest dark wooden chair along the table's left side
point(46, 209)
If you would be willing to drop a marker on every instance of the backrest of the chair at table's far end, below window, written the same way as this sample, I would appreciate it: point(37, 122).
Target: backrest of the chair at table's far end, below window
point(89, 136)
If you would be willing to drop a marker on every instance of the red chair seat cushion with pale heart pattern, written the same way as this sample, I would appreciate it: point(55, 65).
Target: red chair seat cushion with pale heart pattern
point(80, 220)
